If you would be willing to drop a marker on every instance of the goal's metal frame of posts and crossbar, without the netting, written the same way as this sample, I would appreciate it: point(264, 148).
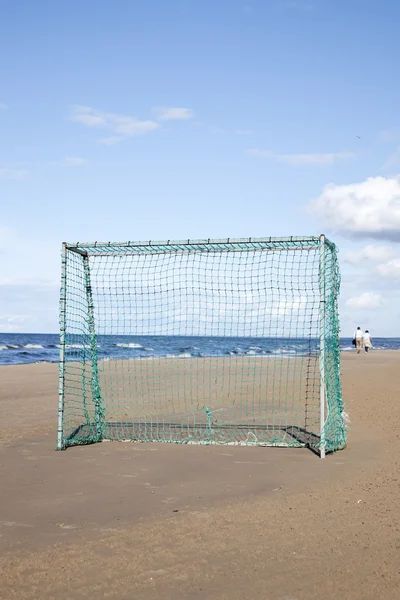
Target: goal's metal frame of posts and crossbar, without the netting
point(87, 249)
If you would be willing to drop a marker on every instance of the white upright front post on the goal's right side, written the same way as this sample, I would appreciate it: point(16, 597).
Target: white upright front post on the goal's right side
point(322, 342)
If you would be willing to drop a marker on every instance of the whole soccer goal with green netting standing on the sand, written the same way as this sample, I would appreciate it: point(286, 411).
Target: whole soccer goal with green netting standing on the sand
point(231, 341)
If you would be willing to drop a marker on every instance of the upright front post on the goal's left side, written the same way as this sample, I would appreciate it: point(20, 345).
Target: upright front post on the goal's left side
point(61, 366)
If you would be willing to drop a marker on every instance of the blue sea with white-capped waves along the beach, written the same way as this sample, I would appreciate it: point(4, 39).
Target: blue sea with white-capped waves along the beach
point(25, 348)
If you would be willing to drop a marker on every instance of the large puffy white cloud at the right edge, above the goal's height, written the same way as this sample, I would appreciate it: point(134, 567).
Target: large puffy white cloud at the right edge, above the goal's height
point(370, 208)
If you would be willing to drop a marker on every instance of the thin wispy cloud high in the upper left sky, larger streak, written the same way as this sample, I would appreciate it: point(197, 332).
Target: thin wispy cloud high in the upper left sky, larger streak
point(122, 126)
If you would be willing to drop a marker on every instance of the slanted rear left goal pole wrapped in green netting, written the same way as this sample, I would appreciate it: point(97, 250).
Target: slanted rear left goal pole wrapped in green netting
point(97, 400)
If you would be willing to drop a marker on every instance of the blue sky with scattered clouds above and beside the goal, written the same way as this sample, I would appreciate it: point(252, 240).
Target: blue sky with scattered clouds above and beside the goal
point(169, 120)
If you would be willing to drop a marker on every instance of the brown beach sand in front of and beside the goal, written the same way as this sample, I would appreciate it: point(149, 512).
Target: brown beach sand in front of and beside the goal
point(155, 521)
